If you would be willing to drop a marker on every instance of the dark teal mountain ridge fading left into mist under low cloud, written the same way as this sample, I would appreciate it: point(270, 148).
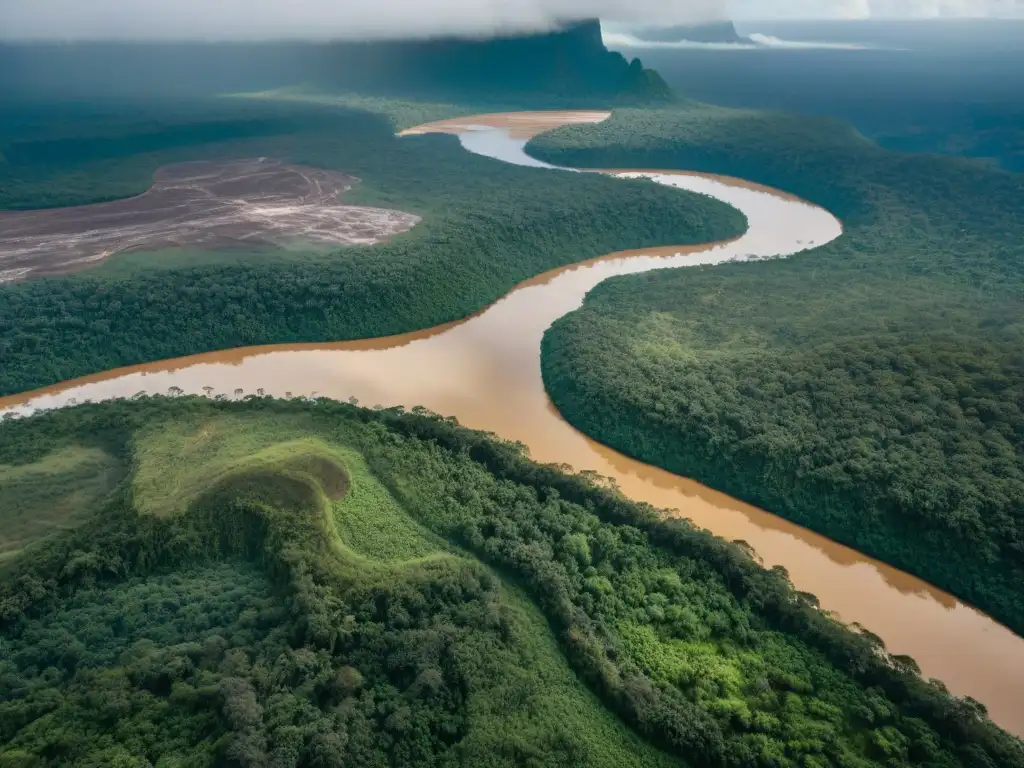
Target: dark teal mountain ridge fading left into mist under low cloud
point(571, 63)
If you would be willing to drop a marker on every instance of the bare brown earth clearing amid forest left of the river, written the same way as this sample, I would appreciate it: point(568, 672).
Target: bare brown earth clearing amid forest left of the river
point(208, 204)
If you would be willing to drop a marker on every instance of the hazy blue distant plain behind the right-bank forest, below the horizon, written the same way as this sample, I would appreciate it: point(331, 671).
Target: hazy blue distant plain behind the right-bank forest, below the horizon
point(933, 102)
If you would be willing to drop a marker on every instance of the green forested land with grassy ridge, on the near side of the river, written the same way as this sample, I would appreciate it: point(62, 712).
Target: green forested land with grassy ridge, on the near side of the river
point(307, 583)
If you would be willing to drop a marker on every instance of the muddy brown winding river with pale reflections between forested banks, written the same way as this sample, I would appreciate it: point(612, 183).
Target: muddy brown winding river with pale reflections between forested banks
point(486, 371)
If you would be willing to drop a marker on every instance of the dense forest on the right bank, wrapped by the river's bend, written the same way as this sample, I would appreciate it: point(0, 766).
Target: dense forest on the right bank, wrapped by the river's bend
point(870, 390)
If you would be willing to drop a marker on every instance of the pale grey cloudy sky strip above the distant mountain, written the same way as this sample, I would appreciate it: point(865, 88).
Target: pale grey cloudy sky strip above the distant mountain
point(319, 20)
